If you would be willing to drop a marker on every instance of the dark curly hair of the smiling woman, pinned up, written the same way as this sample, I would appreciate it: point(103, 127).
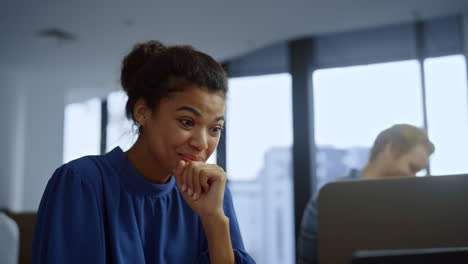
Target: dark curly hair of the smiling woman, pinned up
point(153, 71)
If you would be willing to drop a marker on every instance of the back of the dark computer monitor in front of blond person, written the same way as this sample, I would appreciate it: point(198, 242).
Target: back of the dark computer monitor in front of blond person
point(394, 213)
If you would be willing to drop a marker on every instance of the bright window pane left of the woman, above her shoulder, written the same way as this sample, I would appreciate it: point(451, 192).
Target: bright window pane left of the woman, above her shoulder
point(82, 129)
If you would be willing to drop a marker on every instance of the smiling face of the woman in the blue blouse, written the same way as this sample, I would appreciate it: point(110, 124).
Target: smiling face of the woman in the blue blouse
point(187, 125)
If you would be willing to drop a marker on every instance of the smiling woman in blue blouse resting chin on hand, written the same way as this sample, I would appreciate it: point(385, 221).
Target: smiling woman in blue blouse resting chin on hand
point(158, 202)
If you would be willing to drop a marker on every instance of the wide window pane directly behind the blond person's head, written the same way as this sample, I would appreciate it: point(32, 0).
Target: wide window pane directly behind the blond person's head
point(354, 104)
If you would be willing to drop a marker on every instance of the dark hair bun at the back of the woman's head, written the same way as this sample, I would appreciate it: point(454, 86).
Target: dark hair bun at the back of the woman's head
point(136, 59)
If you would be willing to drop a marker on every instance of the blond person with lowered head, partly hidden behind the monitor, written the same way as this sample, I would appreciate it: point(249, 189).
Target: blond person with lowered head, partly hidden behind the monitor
point(399, 151)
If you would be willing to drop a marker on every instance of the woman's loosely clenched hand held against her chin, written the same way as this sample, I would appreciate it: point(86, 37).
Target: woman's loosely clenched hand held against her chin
point(202, 186)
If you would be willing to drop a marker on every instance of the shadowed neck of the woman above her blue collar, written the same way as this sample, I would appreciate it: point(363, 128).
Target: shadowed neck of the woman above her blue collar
point(140, 157)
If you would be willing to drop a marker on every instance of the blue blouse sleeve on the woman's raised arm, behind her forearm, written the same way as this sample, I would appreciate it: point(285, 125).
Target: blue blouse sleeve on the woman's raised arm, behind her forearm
point(242, 257)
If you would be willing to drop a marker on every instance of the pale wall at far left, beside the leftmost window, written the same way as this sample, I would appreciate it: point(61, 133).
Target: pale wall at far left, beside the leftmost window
point(31, 110)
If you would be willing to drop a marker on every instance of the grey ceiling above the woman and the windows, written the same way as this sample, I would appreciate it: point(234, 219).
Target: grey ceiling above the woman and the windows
point(99, 33)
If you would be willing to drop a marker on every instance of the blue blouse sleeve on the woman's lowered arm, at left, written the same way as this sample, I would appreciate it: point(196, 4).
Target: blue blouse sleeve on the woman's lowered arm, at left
point(69, 225)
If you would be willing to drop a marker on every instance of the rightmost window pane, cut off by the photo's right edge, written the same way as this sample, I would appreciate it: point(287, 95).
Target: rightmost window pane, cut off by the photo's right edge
point(446, 94)
